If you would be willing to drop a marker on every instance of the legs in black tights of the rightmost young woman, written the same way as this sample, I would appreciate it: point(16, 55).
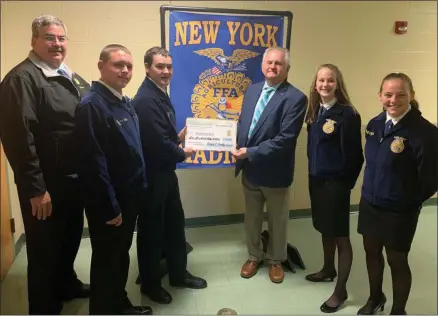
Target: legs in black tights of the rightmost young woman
point(400, 272)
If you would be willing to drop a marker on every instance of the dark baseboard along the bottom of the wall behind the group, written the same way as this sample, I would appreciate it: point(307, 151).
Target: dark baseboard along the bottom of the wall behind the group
point(223, 220)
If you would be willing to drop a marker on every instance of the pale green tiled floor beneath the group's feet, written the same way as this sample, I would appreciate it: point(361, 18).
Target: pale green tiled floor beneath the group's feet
point(218, 255)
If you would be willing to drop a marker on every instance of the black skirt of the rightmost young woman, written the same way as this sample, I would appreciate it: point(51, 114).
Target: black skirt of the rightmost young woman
point(393, 230)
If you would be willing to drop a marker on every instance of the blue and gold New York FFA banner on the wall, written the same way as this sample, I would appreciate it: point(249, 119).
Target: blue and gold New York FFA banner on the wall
point(215, 59)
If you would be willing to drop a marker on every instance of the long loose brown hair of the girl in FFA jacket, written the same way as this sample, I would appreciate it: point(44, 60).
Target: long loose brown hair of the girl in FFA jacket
point(341, 93)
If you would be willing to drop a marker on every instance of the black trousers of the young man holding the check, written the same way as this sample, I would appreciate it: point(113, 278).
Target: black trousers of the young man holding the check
point(160, 230)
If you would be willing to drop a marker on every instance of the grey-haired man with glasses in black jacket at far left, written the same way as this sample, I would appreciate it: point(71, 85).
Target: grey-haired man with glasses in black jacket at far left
point(38, 98)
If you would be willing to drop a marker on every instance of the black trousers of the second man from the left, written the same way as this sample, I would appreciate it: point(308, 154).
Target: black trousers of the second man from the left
point(110, 258)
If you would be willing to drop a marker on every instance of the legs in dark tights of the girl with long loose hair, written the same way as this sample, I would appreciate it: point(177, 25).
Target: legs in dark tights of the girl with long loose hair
point(345, 259)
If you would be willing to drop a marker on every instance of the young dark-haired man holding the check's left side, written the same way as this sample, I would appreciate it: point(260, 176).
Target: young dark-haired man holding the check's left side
point(161, 222)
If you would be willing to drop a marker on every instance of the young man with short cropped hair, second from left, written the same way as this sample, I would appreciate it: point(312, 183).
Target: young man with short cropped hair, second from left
point(113, 173)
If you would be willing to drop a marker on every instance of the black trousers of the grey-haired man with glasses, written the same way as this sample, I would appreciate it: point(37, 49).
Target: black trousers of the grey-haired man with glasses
point(52, 246)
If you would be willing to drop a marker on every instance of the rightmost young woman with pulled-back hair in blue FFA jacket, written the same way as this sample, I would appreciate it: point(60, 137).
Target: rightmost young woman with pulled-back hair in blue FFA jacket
point(401, 155)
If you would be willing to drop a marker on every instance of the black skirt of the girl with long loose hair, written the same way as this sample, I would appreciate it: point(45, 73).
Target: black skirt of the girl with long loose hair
point(330, 203)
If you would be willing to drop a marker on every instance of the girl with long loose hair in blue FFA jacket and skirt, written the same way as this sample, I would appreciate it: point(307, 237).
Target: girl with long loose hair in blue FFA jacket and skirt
point(335, 156)
